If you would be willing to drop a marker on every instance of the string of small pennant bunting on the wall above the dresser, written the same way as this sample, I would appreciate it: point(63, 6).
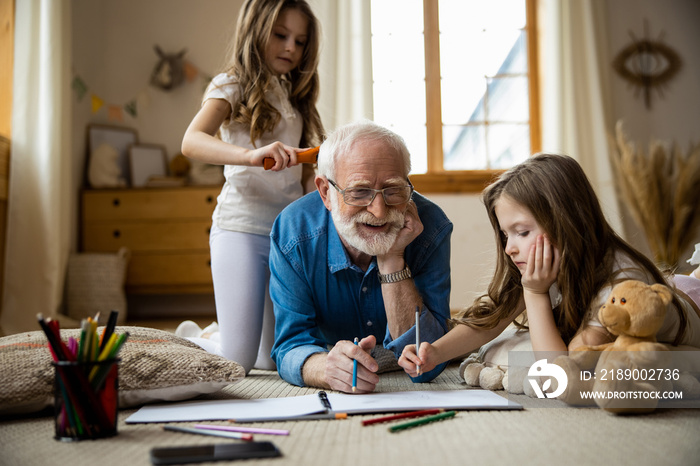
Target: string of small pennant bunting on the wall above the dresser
point(140, 99)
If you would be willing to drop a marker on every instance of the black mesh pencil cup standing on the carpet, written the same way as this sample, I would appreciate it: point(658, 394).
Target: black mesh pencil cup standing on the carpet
point(86, 399)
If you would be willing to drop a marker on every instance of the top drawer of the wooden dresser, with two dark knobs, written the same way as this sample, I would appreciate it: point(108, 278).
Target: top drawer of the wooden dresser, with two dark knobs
point(149, 204)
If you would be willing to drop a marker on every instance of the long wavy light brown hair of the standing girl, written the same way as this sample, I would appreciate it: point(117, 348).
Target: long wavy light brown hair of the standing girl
point(247, 63)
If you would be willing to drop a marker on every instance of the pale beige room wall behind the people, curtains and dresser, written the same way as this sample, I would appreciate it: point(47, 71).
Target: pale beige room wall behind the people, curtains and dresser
point(113, 52)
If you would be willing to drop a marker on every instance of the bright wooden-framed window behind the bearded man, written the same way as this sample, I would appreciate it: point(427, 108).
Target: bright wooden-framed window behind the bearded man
point(457, 79)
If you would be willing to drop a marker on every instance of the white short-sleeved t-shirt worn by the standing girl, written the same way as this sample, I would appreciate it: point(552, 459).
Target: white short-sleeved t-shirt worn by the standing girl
point(252, 197)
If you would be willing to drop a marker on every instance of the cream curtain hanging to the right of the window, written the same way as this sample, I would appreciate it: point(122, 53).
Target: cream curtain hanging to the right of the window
point(576, 104)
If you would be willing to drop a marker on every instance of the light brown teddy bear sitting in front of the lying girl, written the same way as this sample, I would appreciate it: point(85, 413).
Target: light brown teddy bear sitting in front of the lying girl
point(634, 312)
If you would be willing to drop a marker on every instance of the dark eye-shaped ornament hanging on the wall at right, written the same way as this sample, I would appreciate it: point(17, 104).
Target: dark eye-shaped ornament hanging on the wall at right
point(647, 64)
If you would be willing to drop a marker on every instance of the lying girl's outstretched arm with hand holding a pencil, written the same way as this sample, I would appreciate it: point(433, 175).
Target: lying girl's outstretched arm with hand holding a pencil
point(459, 341)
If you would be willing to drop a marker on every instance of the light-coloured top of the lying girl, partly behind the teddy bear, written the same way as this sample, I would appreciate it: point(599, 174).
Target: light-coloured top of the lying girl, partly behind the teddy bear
point(625, 269)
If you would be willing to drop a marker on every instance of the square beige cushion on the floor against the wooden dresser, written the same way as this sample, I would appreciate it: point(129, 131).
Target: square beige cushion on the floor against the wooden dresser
point(95, 283)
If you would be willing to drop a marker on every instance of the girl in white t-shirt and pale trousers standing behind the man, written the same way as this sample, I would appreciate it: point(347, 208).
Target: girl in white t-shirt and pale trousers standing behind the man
point(262, 105)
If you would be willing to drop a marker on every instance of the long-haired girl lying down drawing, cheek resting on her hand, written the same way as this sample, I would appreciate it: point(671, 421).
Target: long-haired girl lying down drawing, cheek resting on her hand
point(558, 258)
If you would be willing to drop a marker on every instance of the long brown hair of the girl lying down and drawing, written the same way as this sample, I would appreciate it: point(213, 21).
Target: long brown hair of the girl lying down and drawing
point(555, 189)
